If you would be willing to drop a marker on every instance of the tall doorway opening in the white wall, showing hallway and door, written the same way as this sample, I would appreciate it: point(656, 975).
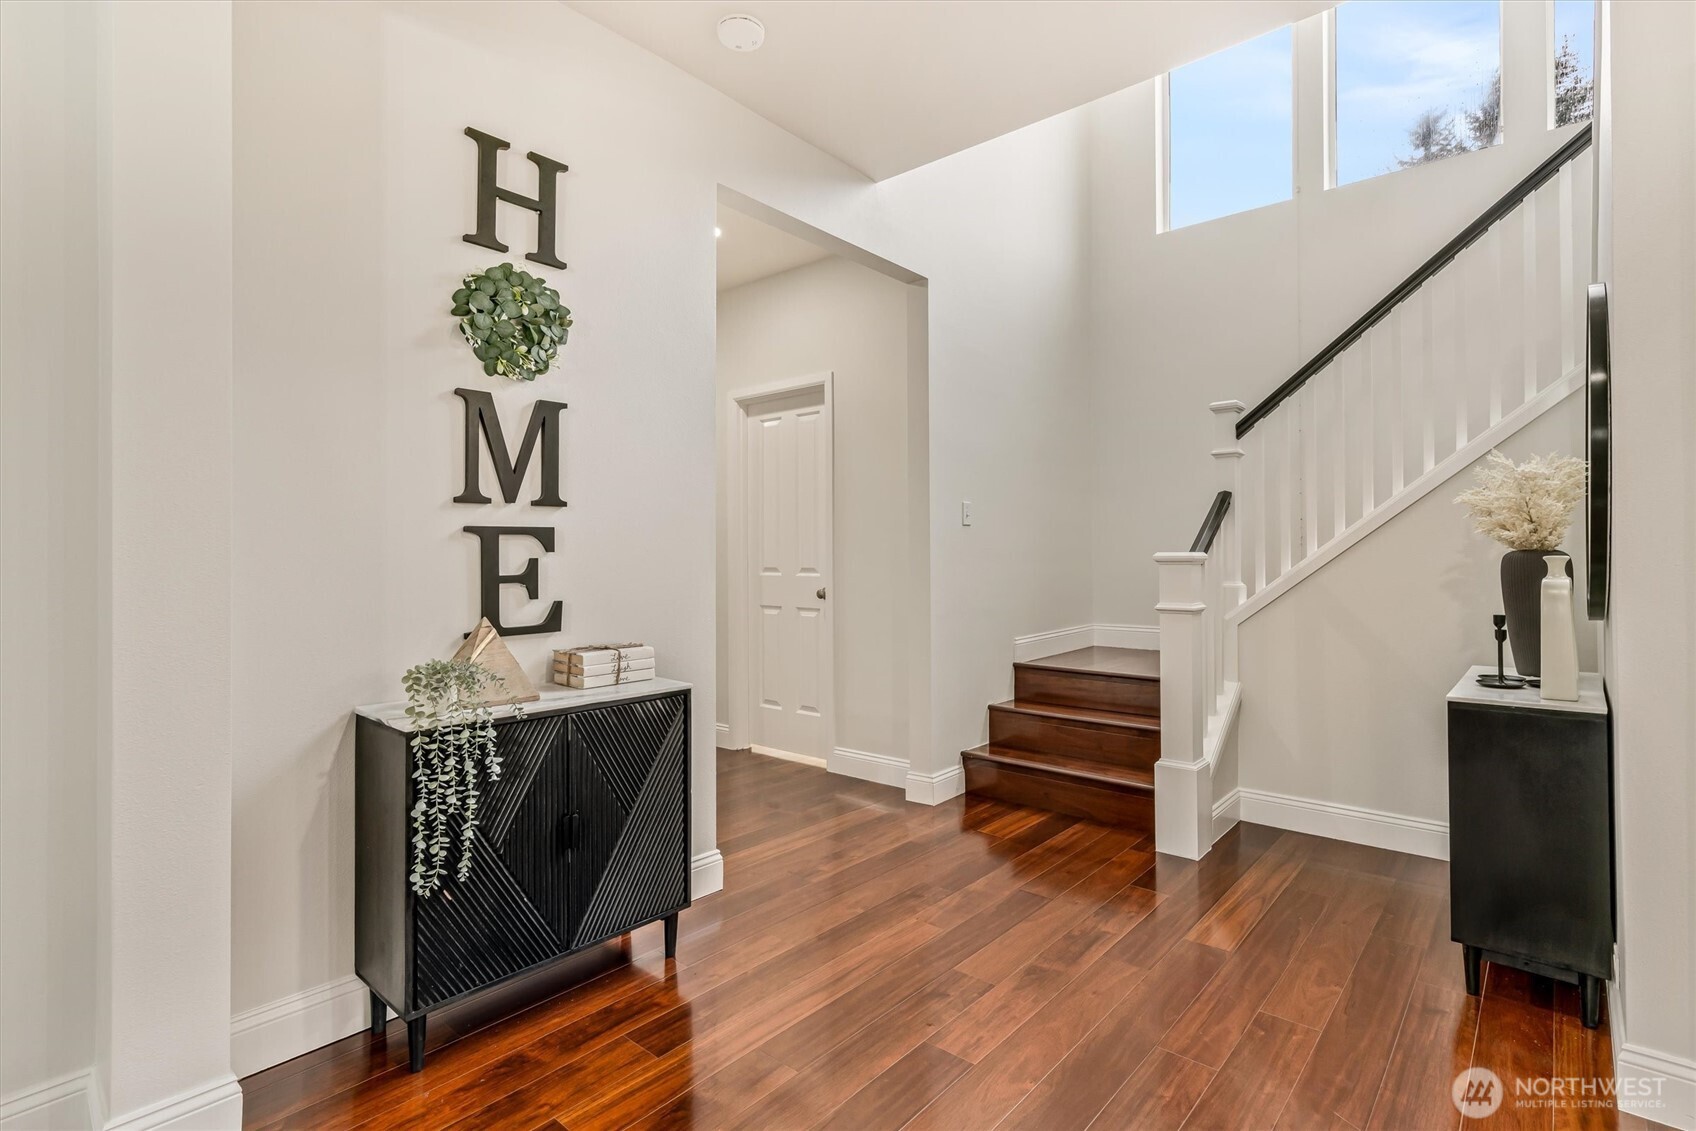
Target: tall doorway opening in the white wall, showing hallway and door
point(823, 491)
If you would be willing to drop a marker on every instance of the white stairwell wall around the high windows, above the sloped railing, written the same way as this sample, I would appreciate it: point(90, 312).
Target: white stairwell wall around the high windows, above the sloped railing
point(1232, 308)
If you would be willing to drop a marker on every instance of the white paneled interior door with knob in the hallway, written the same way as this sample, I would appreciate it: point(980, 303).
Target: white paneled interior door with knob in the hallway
point(789, 564)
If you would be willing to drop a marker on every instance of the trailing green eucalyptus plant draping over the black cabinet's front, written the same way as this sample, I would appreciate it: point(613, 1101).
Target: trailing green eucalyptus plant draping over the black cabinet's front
point(454, 745)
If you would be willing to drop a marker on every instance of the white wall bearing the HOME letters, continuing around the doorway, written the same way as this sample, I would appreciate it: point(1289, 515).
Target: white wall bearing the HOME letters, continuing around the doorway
point(354, 179)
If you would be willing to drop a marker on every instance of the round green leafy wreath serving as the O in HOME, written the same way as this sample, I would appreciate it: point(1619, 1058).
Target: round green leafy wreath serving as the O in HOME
point(513, 321)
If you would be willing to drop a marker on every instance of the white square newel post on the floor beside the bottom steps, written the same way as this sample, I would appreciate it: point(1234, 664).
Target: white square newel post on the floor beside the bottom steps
point(1183, 784)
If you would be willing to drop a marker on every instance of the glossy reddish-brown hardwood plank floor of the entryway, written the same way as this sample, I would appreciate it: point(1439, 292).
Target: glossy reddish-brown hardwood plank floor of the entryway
point(978, 966)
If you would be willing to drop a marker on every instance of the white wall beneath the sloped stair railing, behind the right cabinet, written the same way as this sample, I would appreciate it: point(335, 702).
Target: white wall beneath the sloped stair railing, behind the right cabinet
point(1346, 674)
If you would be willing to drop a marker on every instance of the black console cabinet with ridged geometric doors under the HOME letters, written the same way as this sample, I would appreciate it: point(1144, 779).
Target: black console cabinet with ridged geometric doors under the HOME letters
point(583, 838)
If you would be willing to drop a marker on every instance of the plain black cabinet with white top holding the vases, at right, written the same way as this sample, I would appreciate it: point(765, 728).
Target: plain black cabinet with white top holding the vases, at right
point(1531, 835)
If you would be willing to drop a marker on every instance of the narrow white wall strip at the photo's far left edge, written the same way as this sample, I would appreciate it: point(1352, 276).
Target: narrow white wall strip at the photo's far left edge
point(48, 542)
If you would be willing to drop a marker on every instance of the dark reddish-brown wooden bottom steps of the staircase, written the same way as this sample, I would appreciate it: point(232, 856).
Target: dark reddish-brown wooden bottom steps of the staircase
point(1081, 735)
